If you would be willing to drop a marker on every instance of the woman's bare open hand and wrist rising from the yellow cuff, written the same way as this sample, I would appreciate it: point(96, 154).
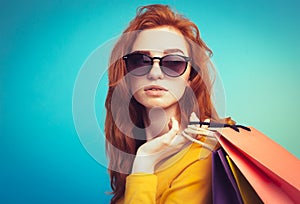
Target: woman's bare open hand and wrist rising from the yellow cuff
point(159, 148)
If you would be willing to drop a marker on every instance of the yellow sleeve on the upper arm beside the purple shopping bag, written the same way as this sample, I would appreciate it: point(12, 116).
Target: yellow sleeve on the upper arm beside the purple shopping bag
point(192, 186)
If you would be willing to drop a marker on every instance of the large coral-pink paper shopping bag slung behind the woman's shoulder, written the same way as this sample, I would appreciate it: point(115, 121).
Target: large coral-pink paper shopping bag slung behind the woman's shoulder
point(271, 170)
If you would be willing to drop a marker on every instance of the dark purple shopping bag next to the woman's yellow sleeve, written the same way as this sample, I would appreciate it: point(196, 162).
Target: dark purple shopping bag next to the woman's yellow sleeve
point(224, 187)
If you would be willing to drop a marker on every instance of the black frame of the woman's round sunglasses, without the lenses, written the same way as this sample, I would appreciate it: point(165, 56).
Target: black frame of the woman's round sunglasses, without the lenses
point(186, 60)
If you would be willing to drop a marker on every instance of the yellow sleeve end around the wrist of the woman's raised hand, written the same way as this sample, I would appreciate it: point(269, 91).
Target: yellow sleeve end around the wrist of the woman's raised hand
point(140, 188)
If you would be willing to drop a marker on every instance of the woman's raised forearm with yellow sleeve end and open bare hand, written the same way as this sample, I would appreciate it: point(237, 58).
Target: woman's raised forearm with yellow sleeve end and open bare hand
point(141, 184)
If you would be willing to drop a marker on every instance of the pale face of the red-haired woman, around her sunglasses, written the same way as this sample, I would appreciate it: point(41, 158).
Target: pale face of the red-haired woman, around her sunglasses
point(156, 89)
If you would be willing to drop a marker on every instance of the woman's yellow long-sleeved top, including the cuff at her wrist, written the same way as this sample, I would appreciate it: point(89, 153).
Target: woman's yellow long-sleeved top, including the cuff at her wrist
point(184, 178)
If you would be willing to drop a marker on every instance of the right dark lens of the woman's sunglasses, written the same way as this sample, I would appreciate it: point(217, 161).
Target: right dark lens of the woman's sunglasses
point(173, 65)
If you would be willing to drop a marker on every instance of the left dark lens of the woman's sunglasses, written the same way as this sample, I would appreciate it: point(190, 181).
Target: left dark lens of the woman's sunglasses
point(138, 64)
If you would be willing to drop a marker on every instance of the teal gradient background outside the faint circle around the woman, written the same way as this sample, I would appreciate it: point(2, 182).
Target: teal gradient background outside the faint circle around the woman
point(43, 44)
